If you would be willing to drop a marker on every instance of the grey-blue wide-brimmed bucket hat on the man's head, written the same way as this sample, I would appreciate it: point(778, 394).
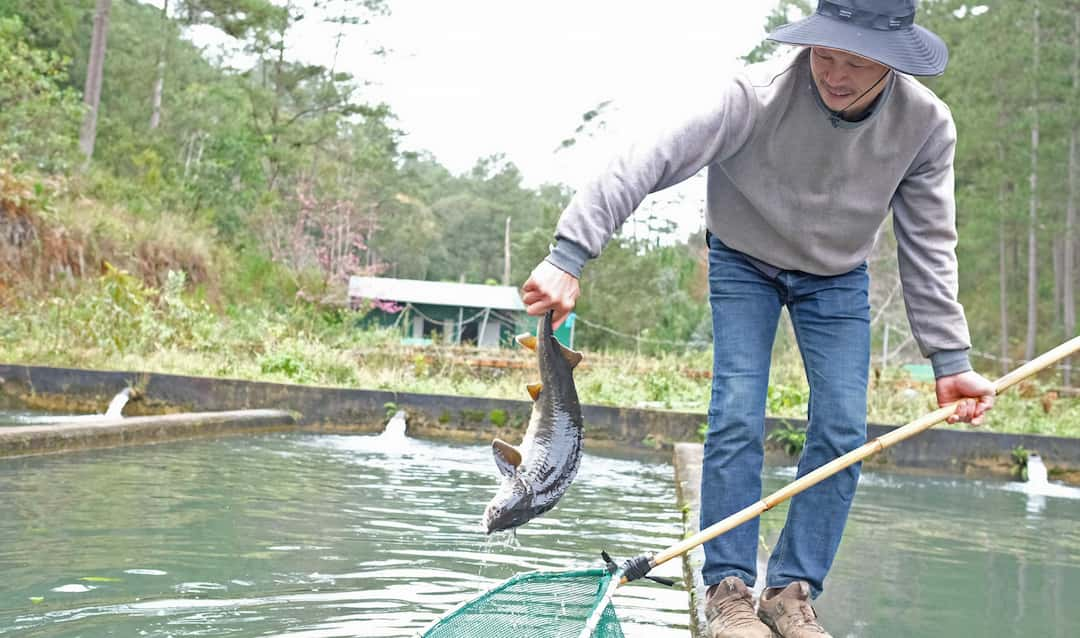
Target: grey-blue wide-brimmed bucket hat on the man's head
point(883, 31)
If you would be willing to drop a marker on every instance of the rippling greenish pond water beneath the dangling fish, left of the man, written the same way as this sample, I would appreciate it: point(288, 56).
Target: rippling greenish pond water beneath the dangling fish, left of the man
point(300, 536)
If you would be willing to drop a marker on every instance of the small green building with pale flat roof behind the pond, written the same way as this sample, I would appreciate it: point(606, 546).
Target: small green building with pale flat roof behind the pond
point(451, 313)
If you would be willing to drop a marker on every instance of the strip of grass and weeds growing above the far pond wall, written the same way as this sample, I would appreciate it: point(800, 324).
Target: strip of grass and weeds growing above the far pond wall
point(117, 322)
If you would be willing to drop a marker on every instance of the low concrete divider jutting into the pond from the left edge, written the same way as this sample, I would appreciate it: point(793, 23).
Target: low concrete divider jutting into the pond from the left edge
point(19, 441)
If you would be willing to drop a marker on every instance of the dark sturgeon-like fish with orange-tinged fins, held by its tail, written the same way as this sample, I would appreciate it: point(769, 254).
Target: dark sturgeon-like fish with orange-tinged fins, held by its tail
point(537, 474)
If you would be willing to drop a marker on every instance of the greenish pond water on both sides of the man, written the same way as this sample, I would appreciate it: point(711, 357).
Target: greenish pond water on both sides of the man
point(319, 536)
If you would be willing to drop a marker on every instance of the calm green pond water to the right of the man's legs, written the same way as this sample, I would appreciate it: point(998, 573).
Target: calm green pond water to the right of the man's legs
point(953, 558)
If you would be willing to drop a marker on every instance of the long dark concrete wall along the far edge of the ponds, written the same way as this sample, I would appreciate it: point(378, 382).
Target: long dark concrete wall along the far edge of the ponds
point(481, 419)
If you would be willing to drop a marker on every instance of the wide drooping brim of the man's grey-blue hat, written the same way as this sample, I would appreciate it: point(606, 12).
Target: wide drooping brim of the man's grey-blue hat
point(913, 50)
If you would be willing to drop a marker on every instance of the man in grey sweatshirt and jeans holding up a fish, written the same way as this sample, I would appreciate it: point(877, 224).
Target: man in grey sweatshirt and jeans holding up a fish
point(806, 158)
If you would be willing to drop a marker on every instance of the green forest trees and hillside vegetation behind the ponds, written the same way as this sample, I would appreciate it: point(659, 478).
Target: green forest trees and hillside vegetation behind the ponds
point(154, 197)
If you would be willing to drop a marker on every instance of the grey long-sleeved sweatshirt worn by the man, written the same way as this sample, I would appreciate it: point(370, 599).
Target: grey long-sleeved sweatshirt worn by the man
point(799, 189)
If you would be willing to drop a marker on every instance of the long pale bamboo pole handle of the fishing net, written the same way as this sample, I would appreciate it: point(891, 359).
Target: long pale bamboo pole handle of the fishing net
point(1036, 365)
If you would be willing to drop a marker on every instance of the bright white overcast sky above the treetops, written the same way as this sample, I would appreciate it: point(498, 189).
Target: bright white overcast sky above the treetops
point(474, 78)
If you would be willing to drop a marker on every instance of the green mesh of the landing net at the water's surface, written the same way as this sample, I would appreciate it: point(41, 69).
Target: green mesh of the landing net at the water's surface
point(535, 605)
